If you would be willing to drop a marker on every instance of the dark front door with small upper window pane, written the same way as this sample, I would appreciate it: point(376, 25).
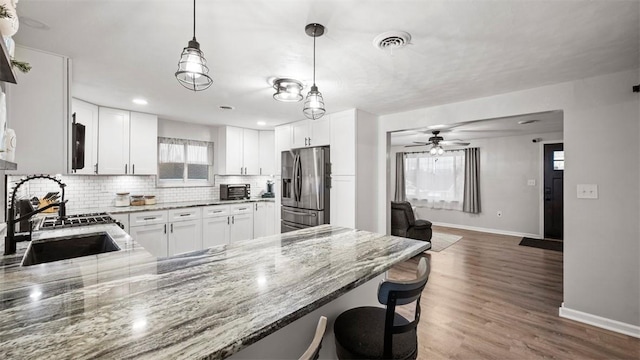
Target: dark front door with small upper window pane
point(553, 178)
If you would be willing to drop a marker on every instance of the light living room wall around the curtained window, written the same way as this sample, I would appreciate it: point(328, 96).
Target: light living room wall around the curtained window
point(506, 163)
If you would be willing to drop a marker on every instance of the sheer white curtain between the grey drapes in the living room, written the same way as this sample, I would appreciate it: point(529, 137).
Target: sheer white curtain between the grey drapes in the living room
point(435, 181)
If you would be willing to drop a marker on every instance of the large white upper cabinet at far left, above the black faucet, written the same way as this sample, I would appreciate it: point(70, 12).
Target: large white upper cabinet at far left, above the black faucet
point(38, 110)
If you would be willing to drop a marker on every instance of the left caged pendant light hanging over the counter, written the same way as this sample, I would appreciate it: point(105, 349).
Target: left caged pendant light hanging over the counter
point(192, 68)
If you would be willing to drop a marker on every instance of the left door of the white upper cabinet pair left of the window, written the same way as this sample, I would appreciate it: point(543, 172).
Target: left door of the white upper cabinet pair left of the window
point(113, 141)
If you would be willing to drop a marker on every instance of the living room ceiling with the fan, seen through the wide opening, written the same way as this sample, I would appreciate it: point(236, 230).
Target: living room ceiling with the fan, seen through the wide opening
point(538, 123)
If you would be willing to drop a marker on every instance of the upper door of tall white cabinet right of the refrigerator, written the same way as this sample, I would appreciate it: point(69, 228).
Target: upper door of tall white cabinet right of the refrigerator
point(343, 142)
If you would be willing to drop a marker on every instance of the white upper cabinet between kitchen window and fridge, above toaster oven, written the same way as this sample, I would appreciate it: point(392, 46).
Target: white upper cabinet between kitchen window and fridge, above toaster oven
point(240, 151)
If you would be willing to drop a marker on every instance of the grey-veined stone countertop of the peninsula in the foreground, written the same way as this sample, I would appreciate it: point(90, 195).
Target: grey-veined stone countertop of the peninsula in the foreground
point(210, 303)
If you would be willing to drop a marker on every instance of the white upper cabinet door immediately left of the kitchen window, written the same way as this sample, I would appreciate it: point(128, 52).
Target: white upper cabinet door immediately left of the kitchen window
point(143, 148)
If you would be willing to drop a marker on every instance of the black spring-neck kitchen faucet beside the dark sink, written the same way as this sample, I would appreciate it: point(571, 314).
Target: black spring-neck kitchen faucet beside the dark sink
point(12, 238)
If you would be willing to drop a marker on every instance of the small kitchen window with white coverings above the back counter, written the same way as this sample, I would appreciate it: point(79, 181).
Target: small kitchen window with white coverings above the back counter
point(183, 161)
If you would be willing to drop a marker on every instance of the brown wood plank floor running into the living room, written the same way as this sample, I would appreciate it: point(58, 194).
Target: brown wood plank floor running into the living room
point(488, 298)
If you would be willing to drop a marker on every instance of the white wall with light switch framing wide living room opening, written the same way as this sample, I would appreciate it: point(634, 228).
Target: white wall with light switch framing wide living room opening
point(601, 137)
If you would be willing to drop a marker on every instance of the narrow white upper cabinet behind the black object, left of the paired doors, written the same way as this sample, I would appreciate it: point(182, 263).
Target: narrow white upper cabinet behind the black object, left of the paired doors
point(84, 137)
